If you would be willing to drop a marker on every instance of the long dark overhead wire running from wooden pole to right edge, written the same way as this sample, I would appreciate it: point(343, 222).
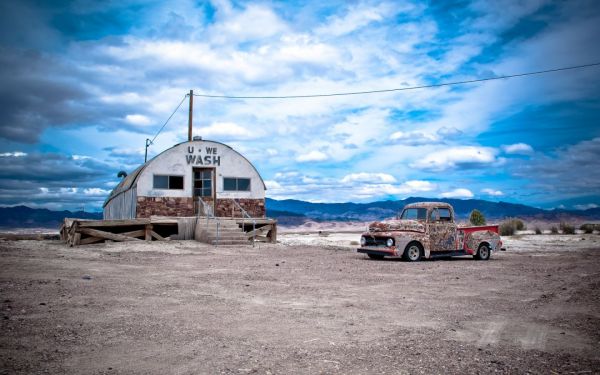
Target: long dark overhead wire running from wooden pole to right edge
point(402, 88)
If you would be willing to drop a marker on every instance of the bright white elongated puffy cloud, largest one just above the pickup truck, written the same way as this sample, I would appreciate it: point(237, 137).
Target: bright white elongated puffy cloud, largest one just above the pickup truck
point(453, 157)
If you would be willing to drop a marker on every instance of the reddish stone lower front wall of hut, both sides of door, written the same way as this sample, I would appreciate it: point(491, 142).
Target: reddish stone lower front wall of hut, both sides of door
point(177, 206)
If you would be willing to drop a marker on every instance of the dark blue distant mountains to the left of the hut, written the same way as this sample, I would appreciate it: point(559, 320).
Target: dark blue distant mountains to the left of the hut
point(25, 217)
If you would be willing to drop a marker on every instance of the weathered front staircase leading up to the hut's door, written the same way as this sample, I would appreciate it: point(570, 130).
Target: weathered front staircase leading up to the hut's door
point(229, 232)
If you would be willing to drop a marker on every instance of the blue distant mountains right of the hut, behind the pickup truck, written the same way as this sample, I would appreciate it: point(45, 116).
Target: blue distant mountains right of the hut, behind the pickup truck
point(386, 209)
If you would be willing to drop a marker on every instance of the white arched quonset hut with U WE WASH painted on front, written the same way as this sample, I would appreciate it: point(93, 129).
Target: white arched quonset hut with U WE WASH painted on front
point(194, 178)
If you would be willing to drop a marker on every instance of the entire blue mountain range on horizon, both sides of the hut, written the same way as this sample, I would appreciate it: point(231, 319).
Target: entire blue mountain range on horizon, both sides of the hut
point(294, 212)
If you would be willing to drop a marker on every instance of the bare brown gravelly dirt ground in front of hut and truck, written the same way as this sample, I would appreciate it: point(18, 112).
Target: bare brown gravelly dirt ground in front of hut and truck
point(308, 305)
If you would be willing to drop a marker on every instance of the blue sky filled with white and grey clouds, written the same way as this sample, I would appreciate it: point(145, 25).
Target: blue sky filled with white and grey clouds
point(84, 83)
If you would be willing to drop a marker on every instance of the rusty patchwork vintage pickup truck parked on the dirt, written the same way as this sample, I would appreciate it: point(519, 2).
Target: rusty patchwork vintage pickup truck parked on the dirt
point(428, 230)
